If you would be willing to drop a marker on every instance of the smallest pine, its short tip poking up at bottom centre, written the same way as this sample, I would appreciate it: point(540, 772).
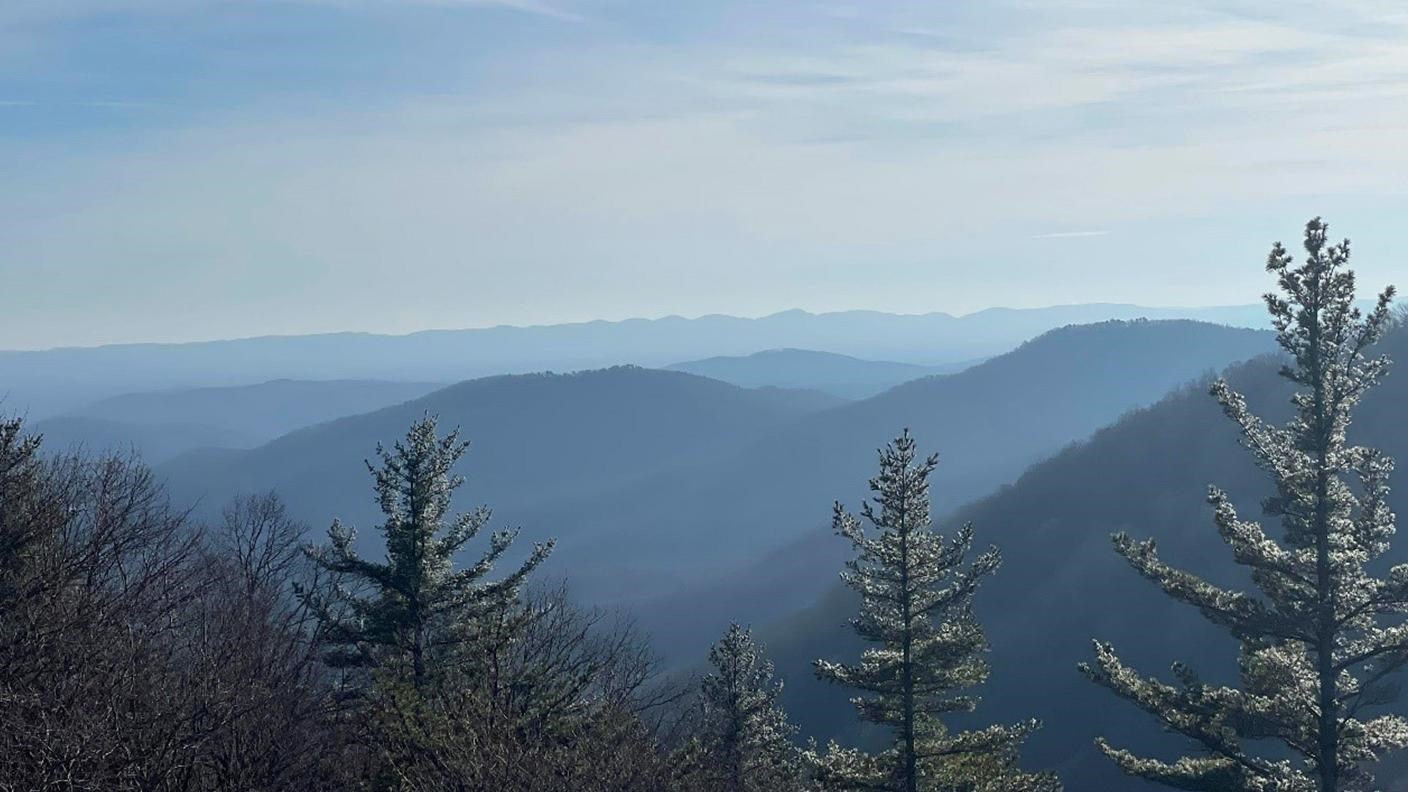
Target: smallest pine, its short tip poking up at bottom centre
point(744, 743)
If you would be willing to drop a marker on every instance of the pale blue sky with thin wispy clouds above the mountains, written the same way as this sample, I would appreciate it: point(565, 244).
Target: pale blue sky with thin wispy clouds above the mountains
point(188, 170)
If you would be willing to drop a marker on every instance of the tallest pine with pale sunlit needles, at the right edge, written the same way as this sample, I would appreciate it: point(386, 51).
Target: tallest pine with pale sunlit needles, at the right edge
point(1324, 635)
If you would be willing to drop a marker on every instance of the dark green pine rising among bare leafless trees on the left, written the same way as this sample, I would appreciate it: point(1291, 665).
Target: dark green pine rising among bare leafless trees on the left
point(416, 611)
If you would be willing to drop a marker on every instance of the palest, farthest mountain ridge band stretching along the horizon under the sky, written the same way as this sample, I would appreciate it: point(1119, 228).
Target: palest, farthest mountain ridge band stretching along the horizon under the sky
point(49, 383)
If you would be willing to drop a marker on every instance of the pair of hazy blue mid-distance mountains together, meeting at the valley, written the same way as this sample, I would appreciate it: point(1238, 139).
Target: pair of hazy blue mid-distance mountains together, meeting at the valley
point(657, 481)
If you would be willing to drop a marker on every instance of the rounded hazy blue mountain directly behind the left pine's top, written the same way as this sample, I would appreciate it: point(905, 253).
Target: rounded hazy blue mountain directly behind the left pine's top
point(534, 438)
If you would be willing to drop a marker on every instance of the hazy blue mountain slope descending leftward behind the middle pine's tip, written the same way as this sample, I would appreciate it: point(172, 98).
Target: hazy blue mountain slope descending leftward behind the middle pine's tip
point(992, 421)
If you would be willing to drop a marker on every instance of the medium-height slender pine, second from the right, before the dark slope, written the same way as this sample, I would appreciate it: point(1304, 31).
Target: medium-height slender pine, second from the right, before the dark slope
point(917, 611)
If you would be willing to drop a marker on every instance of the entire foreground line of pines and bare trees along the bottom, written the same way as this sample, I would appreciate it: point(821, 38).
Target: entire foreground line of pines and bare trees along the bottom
point(140, 650)
